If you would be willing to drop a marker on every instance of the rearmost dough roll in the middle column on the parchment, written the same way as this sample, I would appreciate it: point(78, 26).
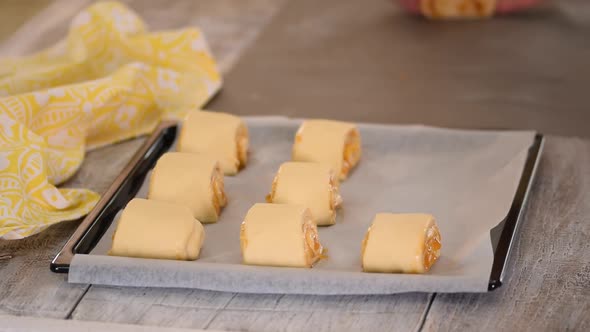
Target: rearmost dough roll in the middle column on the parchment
point(334, 143)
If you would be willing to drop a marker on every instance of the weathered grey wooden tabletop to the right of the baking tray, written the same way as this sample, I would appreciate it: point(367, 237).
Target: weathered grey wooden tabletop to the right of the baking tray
point(548, 284)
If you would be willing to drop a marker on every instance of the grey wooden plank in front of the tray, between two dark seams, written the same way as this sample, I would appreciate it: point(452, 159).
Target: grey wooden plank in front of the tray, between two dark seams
point(251, 312)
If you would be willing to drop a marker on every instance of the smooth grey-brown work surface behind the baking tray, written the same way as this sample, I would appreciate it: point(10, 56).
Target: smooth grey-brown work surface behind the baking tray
point(366, 61)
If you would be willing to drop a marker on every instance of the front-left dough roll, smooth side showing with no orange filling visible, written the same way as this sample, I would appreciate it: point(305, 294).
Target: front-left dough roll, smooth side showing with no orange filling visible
point(154, 229)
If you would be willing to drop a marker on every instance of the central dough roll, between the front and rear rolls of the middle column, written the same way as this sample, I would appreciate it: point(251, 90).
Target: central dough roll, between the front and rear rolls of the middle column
point(309, 184)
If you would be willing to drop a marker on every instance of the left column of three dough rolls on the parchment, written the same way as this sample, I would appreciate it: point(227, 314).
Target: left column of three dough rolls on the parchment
point(186, 188)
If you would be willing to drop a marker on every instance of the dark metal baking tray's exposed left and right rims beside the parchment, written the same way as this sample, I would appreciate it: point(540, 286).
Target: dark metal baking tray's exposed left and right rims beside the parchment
point(127, 184)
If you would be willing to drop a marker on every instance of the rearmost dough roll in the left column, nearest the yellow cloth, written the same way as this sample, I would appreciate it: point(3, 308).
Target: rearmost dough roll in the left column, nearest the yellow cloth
point(221, 135)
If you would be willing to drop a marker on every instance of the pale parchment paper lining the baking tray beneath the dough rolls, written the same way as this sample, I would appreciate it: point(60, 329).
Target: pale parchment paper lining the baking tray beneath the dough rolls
point(466, 179)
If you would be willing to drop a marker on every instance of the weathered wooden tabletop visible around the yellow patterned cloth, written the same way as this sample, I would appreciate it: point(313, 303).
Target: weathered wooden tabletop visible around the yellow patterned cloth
point(27, 287)
